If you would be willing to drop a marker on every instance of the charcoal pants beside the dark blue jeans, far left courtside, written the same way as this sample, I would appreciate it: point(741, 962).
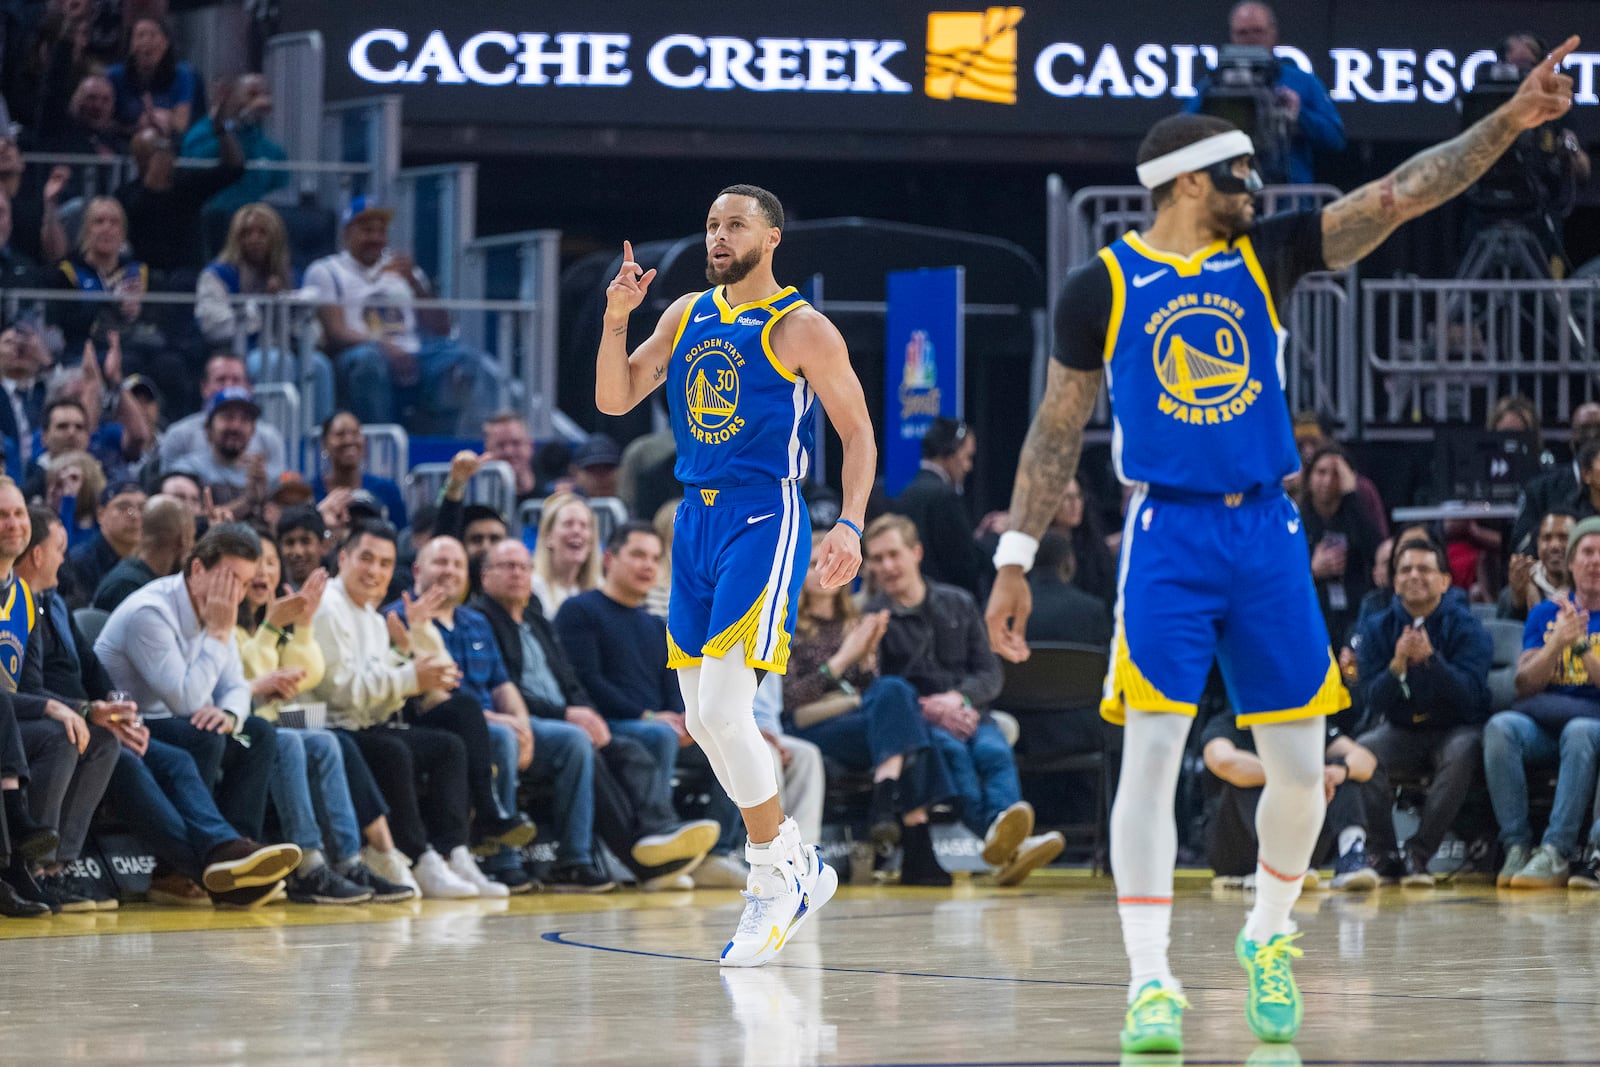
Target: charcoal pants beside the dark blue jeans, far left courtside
point(66, 786)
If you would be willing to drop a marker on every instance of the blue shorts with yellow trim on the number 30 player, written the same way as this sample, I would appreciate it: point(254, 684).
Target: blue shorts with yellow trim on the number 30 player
point(738, 562)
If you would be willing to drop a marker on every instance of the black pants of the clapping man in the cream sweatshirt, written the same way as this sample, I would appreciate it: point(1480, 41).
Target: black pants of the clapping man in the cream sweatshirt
point(423, 775)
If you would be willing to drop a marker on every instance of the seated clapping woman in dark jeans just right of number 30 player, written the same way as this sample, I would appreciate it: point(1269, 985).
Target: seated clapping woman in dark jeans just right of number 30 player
point(834, 697)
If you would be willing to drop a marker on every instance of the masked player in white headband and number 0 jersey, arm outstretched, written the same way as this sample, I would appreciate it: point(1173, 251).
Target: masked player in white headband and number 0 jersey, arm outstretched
point(1183, 322)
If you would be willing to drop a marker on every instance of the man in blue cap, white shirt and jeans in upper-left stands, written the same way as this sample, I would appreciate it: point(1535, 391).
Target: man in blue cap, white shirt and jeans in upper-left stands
point(370, 332)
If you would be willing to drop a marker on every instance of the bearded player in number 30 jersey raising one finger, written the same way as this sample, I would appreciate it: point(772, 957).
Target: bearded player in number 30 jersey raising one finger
point(745, 362)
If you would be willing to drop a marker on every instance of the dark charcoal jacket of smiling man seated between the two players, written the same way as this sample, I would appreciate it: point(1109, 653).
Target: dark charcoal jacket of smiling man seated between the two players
point(940, 645)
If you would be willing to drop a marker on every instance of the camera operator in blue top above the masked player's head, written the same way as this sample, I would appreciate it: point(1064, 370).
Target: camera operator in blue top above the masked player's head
point(1300, 103)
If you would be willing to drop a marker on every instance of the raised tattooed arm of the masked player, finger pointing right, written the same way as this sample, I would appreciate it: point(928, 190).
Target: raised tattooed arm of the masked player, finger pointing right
point(1359, 223)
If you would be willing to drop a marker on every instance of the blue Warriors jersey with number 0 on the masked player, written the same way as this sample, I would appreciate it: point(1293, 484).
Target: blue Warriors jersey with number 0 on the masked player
point(1194, 364)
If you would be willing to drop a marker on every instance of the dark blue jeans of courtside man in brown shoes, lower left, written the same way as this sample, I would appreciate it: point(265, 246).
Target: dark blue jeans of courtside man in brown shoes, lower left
point(169, 807)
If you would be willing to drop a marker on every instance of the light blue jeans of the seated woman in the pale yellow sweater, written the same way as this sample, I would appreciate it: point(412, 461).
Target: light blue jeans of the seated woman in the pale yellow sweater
point(310, 788)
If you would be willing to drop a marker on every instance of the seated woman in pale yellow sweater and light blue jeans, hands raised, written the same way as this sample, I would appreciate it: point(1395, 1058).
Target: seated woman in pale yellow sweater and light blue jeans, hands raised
point(319, 772)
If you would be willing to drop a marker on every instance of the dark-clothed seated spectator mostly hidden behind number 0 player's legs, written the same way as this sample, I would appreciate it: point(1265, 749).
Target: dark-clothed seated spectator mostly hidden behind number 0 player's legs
point(1234, 789)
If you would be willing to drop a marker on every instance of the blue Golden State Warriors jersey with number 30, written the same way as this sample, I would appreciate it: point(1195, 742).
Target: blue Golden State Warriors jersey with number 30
point(738, 415)
